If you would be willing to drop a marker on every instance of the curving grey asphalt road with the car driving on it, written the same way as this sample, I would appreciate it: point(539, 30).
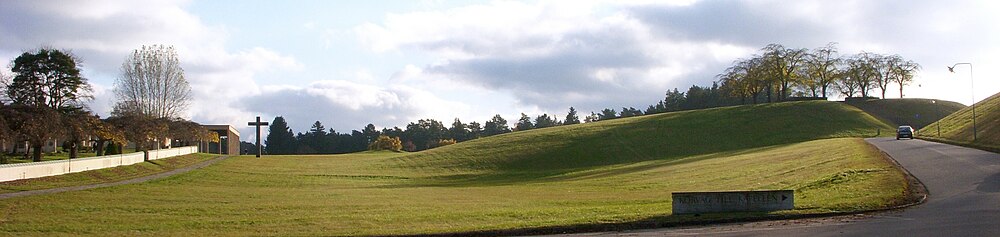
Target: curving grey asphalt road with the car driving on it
point(964, 200)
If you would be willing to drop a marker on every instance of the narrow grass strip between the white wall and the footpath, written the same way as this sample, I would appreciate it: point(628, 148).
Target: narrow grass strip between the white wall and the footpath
point(105, 175)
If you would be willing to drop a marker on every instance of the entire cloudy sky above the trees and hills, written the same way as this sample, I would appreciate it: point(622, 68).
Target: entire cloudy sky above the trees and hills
point(350, 63)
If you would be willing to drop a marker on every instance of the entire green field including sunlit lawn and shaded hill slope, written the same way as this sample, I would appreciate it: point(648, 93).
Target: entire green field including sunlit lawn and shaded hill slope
point(617, 171)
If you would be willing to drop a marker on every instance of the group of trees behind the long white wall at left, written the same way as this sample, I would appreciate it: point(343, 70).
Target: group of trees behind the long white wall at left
point(44, 101)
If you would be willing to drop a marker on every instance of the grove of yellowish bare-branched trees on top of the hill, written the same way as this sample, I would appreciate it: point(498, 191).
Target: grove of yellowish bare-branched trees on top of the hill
point(777, 73)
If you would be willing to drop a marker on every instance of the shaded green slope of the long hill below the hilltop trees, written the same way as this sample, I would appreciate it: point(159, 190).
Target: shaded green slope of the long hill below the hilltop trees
point(653, 137)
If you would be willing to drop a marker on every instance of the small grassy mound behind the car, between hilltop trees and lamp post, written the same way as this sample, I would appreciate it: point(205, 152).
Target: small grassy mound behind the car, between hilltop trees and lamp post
point(914, 112)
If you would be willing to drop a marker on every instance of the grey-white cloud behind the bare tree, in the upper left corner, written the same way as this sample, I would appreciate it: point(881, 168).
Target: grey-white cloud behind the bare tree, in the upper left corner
point(103, 33)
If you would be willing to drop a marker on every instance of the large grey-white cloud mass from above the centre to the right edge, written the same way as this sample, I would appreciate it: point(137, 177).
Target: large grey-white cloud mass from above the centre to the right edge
point(597, 54)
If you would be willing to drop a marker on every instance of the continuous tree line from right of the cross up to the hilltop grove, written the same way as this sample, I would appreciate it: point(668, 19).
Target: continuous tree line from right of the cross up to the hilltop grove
point(775, 74)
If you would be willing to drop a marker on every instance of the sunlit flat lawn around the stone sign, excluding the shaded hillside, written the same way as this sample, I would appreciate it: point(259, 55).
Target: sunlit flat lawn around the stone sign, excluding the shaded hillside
point(356, 194)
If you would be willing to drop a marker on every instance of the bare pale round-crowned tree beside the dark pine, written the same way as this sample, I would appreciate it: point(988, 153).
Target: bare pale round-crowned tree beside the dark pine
point(152, 83)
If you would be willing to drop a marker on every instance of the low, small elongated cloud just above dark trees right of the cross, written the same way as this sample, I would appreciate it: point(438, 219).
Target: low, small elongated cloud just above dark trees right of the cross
point(346, 105)
